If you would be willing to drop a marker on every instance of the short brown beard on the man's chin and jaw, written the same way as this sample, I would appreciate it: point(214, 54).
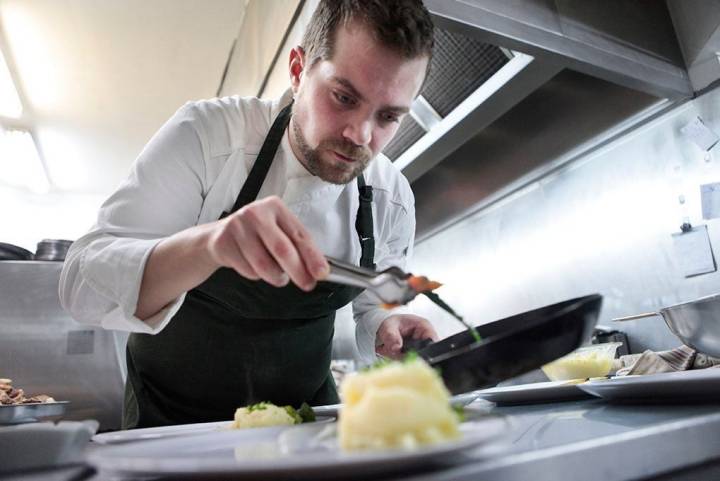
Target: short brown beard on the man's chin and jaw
point(335, 171)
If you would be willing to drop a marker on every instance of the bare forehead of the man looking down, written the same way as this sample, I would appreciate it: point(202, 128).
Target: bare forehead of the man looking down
point(380, 75)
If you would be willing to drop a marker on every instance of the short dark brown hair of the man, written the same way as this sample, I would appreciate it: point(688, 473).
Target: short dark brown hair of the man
point(403, 26)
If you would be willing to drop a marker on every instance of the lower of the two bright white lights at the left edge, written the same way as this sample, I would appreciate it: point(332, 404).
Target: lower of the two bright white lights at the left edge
point(20, 163)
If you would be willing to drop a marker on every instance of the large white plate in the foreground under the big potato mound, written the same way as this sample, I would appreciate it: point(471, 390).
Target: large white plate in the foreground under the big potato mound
point(306, 451)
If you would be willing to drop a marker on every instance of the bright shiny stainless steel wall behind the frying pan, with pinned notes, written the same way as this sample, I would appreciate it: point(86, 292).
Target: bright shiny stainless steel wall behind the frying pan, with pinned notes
point(600, 224)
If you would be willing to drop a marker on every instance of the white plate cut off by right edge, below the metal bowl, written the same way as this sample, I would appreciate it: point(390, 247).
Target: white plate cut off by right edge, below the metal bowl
point(702, 384)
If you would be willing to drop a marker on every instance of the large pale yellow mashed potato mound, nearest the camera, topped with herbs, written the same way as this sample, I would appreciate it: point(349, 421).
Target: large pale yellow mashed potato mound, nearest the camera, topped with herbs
point(398, 404)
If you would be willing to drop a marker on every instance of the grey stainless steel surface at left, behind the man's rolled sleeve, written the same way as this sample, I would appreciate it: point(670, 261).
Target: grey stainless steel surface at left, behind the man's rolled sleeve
point(44, 351)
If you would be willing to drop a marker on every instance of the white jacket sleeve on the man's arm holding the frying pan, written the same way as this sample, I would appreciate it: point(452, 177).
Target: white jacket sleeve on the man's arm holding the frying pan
point(395, 251)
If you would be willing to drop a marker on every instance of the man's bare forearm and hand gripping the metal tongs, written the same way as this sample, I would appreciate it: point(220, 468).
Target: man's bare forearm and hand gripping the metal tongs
point(263, 240)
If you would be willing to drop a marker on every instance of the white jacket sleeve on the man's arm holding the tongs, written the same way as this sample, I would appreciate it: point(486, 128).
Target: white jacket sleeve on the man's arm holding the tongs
point(163, 194)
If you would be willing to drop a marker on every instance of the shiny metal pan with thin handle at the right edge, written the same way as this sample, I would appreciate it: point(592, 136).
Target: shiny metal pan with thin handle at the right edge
point(696, 323)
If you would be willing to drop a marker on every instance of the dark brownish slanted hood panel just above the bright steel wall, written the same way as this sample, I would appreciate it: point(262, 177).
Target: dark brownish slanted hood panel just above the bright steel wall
point(569, 110)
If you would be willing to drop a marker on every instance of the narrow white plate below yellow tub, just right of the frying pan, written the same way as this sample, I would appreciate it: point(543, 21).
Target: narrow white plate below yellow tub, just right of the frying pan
point(534, 393)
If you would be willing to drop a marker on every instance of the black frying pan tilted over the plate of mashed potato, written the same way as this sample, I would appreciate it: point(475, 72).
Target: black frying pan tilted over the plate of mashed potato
point(514, 345)
